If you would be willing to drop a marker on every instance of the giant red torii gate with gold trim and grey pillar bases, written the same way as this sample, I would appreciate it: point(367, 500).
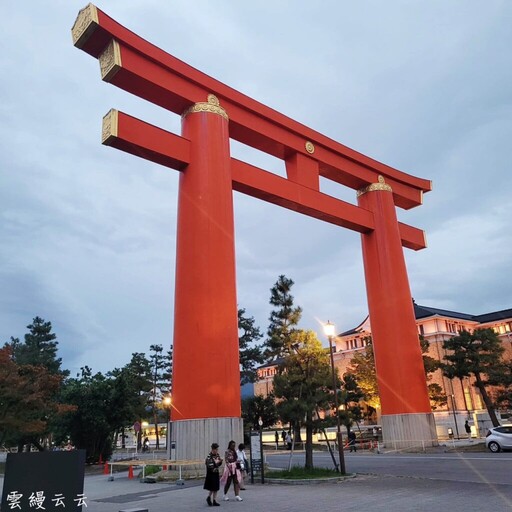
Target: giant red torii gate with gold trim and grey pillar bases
point(206, 390)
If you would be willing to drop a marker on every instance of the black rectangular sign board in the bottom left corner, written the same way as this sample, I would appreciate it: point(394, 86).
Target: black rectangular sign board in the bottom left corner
point(50, 481)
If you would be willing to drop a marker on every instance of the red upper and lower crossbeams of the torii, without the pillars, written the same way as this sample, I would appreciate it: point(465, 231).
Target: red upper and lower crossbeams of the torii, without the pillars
point(137, 66)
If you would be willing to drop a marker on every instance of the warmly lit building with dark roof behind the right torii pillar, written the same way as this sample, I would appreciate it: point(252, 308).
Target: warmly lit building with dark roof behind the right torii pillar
point(435, 325)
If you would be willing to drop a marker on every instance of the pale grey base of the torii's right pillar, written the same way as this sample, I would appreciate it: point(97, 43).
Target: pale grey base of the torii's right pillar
point(409, 431)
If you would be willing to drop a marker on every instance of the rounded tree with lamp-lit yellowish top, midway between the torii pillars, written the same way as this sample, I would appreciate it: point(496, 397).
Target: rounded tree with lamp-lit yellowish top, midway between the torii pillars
point(302, 385)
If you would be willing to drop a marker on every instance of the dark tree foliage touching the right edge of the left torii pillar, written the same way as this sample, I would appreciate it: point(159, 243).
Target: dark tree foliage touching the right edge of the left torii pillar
point(250, 353)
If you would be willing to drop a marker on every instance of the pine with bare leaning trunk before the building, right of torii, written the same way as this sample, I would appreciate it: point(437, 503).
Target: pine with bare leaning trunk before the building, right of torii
point(476, 354)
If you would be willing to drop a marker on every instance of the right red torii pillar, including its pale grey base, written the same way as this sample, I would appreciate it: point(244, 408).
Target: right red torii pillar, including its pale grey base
point(406, 414)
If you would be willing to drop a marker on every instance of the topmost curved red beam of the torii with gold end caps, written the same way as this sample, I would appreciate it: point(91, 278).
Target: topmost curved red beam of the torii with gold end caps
point(149, 72)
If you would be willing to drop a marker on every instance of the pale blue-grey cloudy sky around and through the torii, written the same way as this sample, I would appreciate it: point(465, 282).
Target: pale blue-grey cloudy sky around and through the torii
point(88, 232)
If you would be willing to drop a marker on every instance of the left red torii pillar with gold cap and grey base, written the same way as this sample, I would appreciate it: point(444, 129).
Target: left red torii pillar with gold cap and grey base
point(207, 371)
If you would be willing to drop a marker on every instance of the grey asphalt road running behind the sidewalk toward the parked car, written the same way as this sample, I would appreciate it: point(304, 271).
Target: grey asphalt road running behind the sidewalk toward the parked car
point(488, 468)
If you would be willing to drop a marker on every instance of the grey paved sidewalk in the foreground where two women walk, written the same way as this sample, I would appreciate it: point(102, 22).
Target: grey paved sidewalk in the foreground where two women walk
point(364, 492)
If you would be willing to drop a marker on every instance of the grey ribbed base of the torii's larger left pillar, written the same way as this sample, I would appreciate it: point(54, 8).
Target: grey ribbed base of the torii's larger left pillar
point(194, 437)
